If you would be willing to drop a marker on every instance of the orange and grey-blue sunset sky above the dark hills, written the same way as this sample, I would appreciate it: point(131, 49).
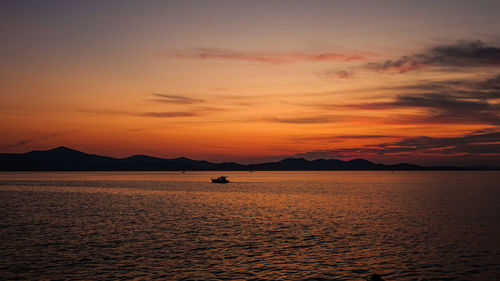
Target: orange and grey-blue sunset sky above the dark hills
point(253, 81)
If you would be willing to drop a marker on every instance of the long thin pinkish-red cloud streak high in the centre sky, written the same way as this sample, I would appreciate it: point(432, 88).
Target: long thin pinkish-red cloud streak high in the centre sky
point(269, 57)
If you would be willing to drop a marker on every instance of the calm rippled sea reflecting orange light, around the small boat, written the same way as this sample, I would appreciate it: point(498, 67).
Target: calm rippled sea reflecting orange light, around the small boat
point(261, 226)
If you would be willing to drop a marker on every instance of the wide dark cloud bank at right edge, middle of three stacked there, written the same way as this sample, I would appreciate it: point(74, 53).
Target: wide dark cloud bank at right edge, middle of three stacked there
point(468, 102)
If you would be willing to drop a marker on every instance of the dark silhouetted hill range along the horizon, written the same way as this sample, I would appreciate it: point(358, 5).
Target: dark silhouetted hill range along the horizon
point(66, 159)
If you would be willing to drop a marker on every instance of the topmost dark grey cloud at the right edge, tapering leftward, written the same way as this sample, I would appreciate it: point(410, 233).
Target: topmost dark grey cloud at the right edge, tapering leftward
point(461, 54)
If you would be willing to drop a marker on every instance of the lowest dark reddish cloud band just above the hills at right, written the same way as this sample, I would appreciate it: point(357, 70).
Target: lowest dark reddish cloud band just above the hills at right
point(473, 143)
